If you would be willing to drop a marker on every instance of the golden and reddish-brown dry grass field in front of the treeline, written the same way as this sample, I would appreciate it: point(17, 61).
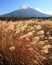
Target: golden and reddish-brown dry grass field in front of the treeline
point(26, 42)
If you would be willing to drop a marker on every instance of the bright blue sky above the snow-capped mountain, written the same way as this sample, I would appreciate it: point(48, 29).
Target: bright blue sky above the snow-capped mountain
point(7, 6)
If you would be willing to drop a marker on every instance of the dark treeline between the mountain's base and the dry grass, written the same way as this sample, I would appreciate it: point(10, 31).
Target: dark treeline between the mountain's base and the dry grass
point(24, 18)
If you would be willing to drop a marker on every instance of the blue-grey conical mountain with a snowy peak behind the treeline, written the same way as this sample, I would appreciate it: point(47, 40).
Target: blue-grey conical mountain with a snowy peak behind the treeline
point(28, 12)
